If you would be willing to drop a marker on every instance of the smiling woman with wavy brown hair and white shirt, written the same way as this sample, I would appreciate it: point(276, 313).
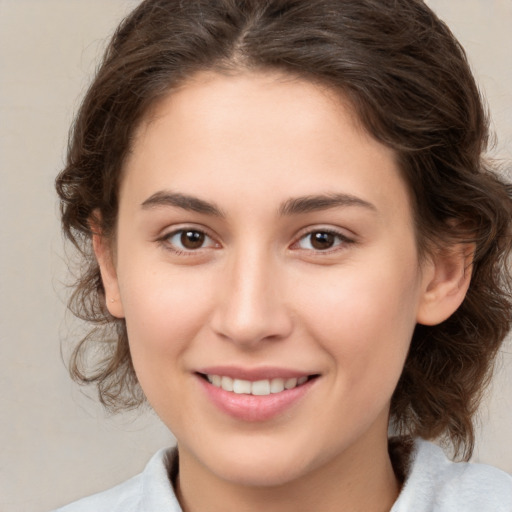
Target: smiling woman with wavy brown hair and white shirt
point(293, 243)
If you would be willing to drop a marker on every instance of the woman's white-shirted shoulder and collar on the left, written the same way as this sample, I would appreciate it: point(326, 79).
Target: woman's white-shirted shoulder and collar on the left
point(150, 490)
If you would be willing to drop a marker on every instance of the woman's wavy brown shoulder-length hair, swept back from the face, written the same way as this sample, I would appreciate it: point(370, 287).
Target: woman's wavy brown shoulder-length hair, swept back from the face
point(411, 86)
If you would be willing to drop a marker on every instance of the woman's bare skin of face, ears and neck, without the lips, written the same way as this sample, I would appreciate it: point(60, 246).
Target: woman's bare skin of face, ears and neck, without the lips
point(257, 292)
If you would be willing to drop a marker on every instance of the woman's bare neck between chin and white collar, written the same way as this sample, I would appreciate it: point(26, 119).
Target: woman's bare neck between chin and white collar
point(359, 481)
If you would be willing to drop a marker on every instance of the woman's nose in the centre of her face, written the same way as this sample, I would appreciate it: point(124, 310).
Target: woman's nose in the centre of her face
point(250, 304)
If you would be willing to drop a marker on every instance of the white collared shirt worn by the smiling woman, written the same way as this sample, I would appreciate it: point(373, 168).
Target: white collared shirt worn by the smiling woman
point(434, 484)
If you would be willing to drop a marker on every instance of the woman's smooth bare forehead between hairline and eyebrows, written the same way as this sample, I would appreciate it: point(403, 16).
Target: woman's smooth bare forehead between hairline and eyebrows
point(266, 133)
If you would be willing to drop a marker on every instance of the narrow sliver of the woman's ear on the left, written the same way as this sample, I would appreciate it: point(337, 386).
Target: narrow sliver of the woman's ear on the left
point(103, 252)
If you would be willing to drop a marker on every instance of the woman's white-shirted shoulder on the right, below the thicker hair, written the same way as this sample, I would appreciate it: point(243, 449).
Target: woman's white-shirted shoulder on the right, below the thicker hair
point(436, 484)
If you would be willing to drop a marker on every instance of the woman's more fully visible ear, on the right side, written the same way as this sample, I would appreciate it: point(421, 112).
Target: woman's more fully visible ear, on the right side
point(446, 279)
